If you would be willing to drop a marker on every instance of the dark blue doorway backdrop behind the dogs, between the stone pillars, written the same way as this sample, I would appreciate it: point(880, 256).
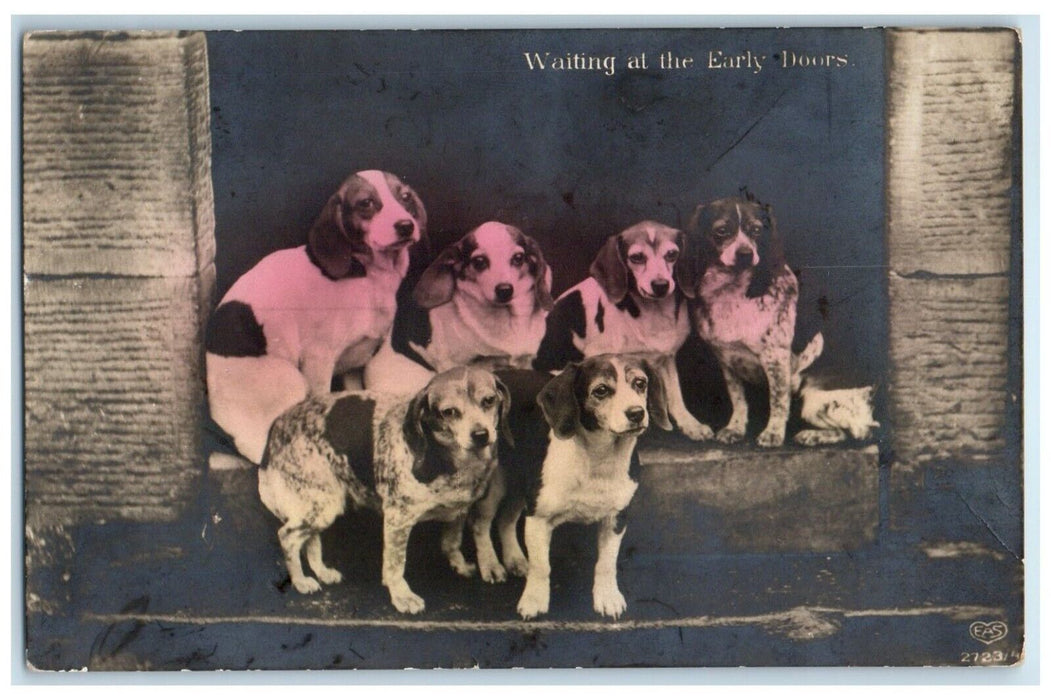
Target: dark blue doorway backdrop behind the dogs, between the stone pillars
point(571, 157)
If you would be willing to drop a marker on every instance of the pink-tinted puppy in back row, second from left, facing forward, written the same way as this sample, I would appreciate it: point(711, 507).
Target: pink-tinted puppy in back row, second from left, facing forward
point(484, 300)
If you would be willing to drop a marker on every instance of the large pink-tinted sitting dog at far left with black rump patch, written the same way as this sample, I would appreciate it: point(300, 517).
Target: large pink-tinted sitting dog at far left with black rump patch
point(305, 315)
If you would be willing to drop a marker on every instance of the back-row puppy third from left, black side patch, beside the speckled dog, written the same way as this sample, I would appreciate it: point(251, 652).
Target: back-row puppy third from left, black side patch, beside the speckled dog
point(632, 303)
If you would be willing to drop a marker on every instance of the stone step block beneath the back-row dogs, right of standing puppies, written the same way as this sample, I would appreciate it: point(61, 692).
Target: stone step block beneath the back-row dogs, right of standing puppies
point(745, 500)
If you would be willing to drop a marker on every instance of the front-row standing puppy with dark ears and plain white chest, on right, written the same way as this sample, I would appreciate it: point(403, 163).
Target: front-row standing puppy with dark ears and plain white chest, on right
point(574, 462)
